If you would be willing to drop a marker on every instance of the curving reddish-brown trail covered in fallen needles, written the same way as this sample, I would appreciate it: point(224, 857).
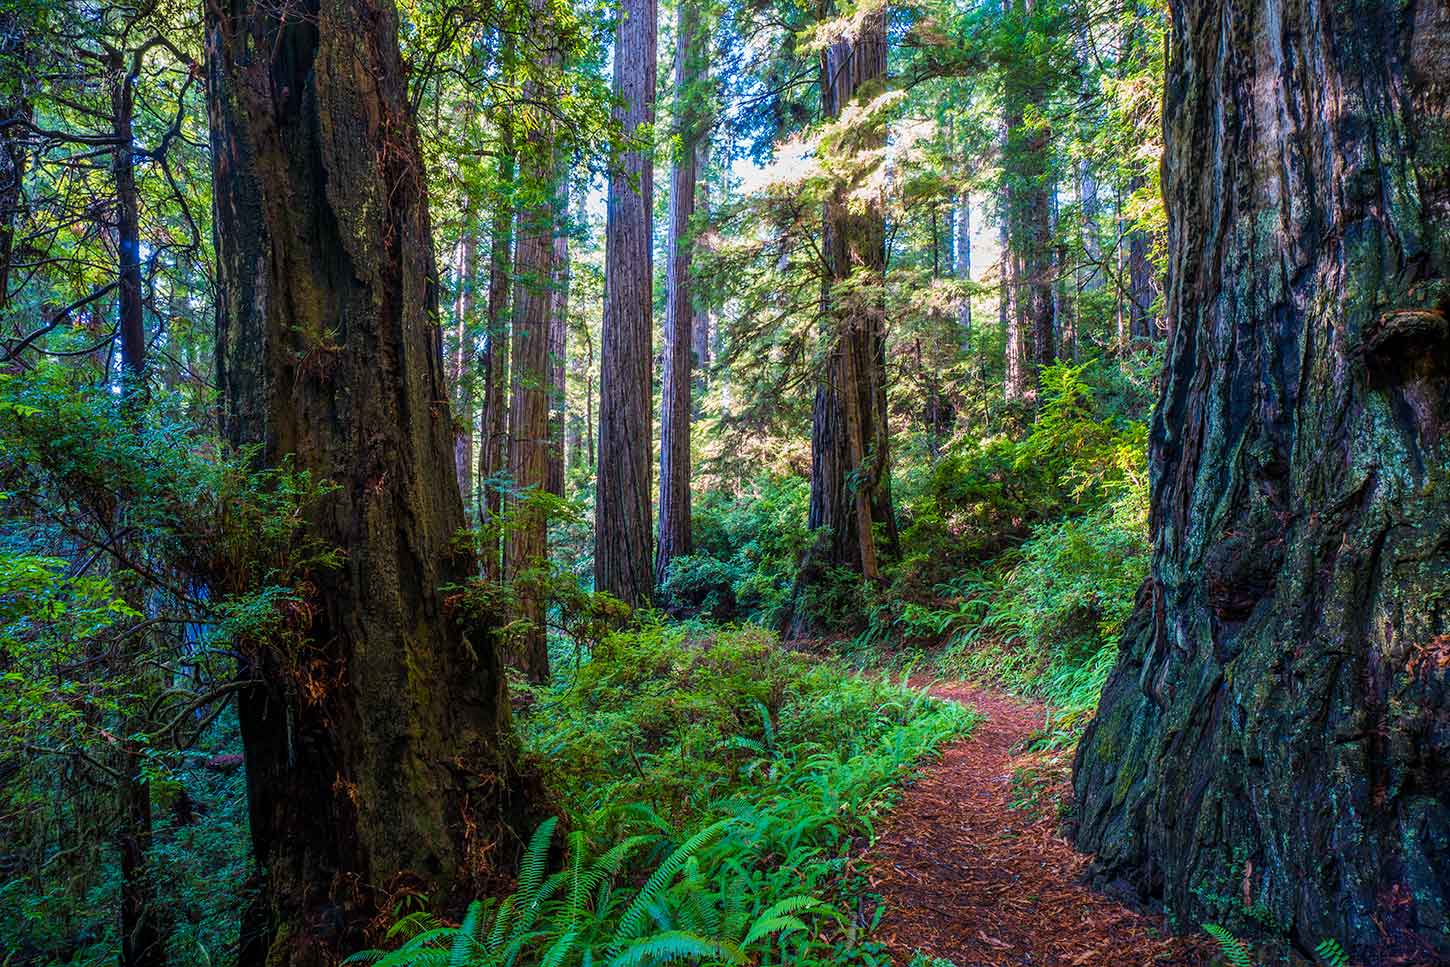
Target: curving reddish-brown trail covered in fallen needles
point(974, 875)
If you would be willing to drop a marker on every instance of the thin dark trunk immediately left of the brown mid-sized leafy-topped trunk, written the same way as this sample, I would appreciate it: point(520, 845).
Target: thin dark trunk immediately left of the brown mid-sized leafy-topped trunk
point(494, 456)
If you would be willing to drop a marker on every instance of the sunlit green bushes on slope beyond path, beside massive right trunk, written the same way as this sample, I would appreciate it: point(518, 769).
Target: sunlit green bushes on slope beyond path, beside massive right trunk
point(1023, 556)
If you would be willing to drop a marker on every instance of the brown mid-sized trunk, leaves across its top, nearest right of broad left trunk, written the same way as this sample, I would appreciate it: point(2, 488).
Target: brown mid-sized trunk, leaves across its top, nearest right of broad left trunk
point(527, 557)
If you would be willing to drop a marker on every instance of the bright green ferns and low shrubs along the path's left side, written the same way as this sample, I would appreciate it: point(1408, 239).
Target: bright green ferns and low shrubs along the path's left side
point(717, 788)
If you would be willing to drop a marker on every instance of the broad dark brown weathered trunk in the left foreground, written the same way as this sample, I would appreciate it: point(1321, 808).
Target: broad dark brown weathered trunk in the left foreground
point(378, 736)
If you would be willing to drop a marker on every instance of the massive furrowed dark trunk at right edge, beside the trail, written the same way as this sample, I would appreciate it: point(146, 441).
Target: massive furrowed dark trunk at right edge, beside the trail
point(1271, 746)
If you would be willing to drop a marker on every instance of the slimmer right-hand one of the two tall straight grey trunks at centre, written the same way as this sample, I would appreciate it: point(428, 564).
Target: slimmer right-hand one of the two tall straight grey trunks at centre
point(679, 318)
